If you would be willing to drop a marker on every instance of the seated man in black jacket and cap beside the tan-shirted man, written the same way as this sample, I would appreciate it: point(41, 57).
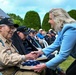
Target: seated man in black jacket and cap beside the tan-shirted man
point(20, 41)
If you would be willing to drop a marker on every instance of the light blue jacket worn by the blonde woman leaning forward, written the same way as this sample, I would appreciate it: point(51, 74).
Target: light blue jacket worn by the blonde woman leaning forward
point(66, 40)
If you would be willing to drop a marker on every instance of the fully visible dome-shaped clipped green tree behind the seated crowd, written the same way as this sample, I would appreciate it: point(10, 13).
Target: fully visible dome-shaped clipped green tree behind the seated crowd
point(32, 20)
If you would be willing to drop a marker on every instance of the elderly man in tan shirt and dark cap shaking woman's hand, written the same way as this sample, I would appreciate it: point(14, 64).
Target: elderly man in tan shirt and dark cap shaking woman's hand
point(9, 55)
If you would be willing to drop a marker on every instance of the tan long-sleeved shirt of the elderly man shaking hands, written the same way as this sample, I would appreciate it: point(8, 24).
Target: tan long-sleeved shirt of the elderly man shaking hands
point(8, 55)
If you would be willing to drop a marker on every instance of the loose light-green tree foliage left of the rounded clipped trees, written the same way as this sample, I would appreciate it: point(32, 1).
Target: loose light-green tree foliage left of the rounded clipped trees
point(16, 19)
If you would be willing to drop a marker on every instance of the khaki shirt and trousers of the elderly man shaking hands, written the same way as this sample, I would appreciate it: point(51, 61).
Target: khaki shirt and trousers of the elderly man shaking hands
point(9, 57)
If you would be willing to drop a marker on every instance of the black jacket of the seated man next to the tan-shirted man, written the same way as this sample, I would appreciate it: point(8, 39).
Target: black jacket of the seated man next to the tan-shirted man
point(24, 47)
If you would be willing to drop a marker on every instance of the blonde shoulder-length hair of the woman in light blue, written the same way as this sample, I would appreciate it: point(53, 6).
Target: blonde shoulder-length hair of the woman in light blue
point(60, 18)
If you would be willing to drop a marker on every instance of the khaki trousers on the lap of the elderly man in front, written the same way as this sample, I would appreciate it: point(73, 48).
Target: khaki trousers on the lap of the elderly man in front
point(20, 72)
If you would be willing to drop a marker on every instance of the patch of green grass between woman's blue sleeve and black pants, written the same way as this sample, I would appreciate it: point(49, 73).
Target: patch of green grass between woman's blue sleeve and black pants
point(66, 63)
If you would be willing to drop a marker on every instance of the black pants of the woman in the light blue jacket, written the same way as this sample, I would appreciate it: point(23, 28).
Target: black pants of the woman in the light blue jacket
point(72, 69)
